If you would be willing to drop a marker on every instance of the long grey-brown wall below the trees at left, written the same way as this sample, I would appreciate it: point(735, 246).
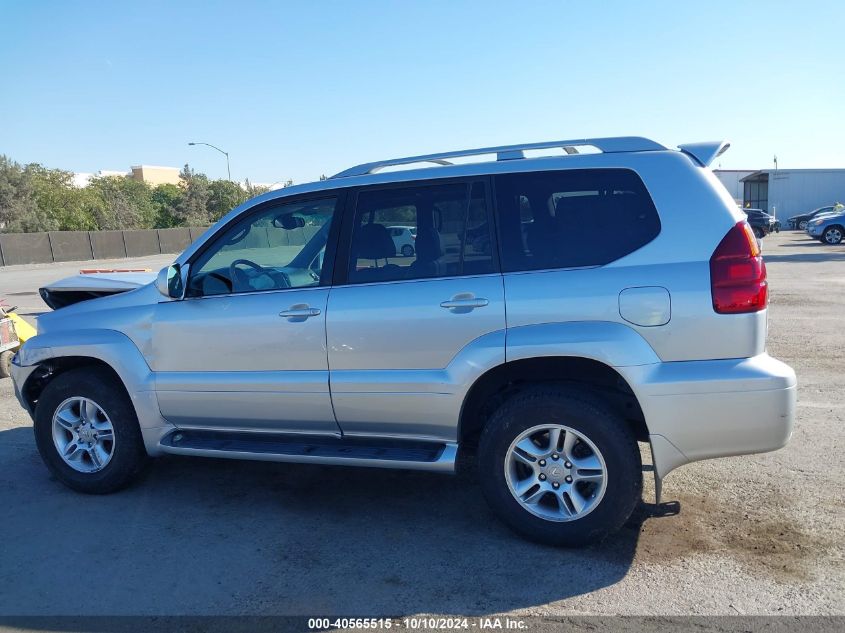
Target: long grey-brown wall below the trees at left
point(68, 246)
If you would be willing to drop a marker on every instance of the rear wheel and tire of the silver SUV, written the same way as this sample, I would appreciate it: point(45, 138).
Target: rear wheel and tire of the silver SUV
point(585, 416)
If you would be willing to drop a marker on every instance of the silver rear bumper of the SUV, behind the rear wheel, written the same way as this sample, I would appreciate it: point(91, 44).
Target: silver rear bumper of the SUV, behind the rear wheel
point(704, 409)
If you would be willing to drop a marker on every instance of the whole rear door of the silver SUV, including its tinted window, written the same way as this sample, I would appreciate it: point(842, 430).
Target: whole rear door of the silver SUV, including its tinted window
point(395, 323)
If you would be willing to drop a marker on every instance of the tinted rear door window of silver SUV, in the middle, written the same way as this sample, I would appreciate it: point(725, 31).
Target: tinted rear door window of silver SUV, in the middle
point(420, 232)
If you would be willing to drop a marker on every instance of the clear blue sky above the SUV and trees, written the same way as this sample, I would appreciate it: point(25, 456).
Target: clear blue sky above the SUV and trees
point(294, 90)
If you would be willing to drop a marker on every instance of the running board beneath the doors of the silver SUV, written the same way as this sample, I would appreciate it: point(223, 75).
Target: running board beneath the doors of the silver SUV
point(311, 449)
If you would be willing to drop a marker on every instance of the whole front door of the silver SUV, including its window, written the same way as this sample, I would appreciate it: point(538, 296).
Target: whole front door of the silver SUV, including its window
point(246, 348)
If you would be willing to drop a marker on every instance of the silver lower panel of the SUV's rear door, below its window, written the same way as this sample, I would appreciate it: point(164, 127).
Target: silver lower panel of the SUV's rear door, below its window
point(391, 342)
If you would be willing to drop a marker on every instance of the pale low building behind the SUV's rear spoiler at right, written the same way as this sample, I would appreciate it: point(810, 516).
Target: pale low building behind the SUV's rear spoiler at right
point(784, 192)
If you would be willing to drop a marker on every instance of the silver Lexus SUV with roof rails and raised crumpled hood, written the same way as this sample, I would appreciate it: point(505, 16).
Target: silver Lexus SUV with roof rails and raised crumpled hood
point(556, 310)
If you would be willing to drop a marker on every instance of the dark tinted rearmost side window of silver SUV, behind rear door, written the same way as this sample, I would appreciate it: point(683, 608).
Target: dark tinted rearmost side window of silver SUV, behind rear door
point(571, 218)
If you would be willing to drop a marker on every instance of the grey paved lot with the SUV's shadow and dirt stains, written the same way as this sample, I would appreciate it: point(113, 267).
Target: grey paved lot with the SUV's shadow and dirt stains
point(754, 535)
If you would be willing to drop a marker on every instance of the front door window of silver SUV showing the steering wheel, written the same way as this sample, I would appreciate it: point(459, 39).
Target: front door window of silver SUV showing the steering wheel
point(279, 247)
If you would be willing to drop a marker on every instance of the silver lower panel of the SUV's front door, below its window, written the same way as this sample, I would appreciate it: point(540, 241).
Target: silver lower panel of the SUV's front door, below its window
point(230, 361)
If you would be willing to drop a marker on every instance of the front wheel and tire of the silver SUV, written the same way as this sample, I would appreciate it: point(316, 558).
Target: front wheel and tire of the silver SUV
point(126, 453)
